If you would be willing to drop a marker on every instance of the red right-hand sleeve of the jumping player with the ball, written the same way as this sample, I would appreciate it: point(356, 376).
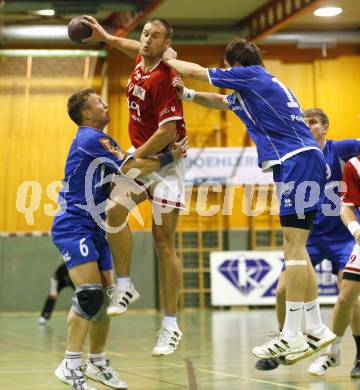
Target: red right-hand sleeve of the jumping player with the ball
point(166, 104)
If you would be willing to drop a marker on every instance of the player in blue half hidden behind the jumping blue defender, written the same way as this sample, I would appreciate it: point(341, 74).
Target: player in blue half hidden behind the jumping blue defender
point(329, 238)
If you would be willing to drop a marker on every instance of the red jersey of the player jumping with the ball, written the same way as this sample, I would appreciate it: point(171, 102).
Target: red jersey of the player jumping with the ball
point(152, 101)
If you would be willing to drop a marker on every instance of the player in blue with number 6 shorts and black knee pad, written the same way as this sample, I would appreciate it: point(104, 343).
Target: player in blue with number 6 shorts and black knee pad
point(78, 232)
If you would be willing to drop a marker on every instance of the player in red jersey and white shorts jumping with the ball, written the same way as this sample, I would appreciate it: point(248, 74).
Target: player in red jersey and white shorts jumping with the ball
point(156, 121)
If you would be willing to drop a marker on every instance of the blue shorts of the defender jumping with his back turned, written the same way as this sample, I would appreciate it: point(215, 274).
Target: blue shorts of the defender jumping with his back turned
point(300, 183)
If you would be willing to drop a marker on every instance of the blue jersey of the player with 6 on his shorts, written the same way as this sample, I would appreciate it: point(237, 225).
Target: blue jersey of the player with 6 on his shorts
point(93, 157)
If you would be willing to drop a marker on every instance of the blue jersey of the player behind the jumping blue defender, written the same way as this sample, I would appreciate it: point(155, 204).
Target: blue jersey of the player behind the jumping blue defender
point(331, 228)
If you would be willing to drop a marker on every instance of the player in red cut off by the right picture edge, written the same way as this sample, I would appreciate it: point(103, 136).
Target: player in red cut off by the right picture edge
point(350, 285)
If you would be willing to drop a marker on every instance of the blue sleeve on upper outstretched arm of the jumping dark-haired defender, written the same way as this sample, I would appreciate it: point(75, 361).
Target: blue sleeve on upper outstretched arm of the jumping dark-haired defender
point(239, 77)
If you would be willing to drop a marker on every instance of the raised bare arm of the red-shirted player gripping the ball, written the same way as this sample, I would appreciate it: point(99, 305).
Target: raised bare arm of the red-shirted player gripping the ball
point(130, 47)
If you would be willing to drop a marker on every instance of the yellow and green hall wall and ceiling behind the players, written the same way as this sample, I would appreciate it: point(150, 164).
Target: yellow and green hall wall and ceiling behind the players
point(317, 59)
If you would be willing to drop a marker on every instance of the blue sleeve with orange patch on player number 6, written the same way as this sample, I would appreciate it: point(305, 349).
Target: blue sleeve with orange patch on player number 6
point(106, 149)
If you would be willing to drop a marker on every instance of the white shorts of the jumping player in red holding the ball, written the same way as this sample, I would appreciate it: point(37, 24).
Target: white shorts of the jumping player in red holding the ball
point(165, 187)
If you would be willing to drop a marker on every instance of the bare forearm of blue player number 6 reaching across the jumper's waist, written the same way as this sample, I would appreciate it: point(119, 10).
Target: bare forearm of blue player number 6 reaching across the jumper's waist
point(151, 164)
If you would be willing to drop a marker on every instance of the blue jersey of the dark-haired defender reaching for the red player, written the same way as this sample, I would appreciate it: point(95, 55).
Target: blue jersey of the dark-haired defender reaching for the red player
point(269, 110)
